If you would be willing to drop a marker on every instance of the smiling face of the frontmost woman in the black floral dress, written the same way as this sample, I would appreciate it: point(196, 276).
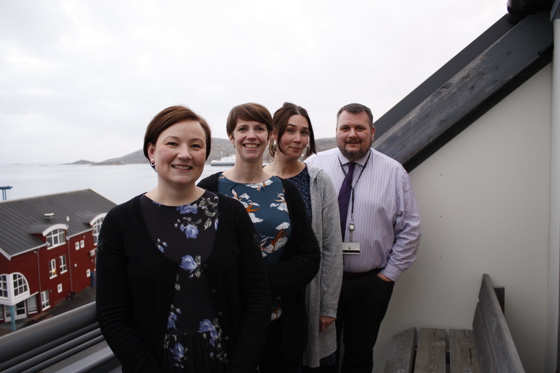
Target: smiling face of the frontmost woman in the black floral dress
point(179, 153)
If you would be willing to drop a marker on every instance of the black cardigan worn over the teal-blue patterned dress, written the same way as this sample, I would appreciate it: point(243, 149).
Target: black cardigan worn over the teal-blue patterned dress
point(297, 266)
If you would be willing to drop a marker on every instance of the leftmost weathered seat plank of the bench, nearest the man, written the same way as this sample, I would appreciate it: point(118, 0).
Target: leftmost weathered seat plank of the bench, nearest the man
point(401, 355)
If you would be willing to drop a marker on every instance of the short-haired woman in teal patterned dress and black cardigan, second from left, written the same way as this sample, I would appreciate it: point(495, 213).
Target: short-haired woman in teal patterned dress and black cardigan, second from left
point(288, 245)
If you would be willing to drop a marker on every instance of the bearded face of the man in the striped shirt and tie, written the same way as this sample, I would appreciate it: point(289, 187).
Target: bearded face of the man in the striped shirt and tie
point(354, 135)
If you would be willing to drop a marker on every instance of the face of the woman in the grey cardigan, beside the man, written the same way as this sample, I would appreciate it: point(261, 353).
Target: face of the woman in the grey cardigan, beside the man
point(294, 139)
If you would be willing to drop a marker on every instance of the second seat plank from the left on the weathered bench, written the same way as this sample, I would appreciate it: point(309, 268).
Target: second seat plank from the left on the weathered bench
point(430, 357)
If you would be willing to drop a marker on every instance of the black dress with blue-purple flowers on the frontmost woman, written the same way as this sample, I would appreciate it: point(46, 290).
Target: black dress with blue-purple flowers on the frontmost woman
point(185, 234)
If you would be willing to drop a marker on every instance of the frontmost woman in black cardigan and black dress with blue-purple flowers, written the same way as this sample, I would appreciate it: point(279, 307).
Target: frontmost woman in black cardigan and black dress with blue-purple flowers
point(181, 286)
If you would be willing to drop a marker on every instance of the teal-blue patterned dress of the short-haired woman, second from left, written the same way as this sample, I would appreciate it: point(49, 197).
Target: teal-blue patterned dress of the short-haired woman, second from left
point(266, 205)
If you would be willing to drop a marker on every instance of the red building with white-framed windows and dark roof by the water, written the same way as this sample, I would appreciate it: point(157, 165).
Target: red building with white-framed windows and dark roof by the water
point(47, 250)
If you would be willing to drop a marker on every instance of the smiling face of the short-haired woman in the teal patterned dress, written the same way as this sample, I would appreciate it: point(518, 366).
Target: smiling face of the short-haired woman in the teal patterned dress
point(249, 138)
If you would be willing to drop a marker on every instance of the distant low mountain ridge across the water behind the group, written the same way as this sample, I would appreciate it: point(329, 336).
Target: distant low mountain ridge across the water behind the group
point(220, 148)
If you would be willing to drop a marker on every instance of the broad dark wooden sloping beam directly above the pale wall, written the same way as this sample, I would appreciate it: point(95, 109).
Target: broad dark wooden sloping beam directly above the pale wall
point(465, 88)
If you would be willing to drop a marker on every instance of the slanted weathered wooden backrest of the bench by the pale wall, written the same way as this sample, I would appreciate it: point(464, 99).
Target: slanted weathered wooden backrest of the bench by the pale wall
point(502, 347)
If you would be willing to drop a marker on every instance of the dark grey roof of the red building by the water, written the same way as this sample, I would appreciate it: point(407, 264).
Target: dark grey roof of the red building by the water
point(19, 219)
